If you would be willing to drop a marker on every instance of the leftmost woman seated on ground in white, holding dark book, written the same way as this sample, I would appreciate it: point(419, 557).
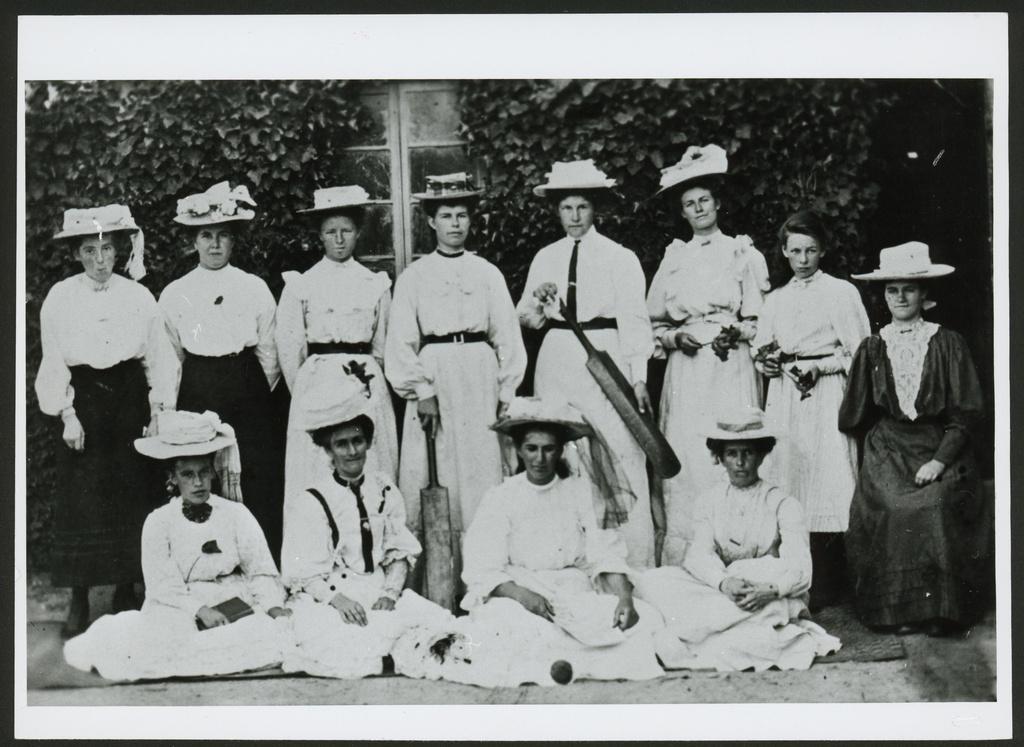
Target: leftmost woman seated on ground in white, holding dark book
point(212, 591)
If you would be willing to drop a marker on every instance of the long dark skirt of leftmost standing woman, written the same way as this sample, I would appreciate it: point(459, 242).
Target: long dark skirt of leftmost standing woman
point(106, 491)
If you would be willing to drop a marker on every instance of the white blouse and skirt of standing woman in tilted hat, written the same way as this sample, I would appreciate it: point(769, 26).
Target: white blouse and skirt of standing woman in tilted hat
point(702, 286)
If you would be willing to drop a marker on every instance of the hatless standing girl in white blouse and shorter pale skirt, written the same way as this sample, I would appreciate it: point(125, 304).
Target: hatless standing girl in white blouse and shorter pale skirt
point(810, 328)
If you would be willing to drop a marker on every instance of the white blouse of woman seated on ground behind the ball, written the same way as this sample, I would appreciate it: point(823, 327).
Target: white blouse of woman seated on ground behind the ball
point(536, 528)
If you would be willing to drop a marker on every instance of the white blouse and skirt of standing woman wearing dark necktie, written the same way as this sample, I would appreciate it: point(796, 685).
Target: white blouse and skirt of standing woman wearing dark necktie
point(610, 284)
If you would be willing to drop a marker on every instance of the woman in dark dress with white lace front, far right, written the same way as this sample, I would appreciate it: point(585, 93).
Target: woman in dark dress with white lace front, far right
point(920, 527)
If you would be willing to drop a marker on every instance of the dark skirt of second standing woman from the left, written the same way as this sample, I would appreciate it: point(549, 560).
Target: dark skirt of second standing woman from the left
point(236, 389)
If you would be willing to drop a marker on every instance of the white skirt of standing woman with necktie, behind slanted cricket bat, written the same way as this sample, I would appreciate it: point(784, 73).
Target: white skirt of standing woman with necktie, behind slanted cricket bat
point(562, 371)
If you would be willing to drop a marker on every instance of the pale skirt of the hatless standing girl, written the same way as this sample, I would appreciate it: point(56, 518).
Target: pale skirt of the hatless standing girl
point(813, 460)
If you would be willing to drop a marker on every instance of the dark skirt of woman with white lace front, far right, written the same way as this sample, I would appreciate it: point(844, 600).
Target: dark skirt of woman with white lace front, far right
point(917, 554)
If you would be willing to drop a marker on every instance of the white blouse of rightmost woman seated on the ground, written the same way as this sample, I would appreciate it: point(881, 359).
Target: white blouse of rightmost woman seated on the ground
point(736, 524)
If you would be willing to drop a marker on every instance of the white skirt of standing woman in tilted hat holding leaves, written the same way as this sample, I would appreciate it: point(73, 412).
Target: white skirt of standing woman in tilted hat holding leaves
point(696, 388)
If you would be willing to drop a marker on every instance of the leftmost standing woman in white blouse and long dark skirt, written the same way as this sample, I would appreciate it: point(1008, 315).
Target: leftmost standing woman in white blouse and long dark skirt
point(108, 368)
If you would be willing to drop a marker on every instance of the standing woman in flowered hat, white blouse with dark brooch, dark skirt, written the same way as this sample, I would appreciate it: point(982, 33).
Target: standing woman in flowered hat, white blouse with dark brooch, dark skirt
point(221, 320)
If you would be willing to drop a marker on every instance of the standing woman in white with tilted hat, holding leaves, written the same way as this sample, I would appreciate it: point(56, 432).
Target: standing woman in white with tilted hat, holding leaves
point(704, 303)
